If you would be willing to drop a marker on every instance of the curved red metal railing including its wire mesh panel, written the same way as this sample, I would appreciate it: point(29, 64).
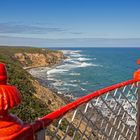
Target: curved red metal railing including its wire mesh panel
point(109, 113)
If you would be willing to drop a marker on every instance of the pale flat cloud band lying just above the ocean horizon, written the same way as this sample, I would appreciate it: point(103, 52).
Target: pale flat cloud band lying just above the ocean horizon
point(70, 42)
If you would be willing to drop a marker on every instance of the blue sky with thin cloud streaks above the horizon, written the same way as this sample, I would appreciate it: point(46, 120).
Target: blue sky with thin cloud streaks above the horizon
point(62, 23)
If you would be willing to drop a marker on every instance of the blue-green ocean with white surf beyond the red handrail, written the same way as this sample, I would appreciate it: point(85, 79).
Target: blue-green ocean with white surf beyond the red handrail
point(88, 69)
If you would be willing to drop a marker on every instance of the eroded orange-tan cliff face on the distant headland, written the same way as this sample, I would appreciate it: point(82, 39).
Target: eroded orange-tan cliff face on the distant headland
point(39, 59)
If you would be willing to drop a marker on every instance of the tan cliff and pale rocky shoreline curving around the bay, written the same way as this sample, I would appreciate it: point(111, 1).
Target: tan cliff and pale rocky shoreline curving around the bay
point(50, 61)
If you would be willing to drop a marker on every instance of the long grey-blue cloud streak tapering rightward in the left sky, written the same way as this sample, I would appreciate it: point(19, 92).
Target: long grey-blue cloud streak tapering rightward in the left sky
point(28, 29)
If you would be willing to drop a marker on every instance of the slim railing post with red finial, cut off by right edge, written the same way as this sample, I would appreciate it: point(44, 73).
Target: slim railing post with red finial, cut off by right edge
point(137, 77)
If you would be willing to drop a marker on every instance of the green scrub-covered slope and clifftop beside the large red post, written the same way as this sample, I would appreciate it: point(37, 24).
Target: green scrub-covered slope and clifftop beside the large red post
point(31, 106)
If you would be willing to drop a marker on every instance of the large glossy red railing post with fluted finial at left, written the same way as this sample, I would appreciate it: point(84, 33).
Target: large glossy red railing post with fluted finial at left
point(9, 98)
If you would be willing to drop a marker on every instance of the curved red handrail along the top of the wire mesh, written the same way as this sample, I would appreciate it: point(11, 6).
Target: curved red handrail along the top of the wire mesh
point(39, 124)
